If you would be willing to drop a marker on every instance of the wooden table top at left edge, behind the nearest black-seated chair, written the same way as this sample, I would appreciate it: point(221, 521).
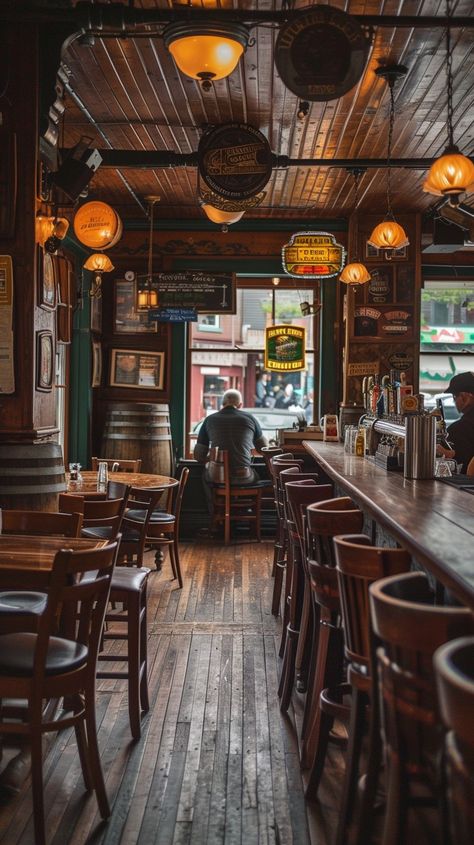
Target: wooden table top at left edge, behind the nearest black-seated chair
point(28, 553)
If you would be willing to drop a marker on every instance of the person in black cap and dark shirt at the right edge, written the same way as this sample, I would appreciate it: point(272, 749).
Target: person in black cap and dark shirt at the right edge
point(461, 432)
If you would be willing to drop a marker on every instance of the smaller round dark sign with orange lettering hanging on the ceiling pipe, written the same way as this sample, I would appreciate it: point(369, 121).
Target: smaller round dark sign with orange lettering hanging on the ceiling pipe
point(235, 160)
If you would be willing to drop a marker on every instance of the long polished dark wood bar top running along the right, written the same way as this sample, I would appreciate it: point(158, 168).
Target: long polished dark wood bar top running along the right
point(432, 520)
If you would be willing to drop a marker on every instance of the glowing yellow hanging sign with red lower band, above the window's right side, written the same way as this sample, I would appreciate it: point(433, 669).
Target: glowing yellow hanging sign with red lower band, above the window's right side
point(313, 255)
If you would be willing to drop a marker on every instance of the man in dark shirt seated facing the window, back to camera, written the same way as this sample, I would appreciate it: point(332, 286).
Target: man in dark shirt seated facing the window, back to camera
point(236, 431)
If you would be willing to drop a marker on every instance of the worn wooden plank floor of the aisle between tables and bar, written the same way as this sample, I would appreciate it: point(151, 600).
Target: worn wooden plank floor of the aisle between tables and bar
point(217, 763)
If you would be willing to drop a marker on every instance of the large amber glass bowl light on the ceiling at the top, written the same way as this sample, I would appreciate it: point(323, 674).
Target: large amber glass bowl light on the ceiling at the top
point(206, 51)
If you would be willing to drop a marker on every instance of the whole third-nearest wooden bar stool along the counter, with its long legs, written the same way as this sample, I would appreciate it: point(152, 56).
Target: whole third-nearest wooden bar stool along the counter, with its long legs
point(358, 565)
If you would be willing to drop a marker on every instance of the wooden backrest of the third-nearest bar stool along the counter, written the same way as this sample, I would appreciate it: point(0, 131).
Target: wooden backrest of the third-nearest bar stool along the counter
point(359, 564)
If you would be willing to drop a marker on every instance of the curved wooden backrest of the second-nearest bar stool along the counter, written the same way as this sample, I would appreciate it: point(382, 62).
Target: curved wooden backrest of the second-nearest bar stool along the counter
point(410, 628)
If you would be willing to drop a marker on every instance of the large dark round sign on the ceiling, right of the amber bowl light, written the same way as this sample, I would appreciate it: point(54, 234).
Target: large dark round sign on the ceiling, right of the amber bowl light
point(321, 53)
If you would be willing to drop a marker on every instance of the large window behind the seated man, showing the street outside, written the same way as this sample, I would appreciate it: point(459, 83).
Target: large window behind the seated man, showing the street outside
point(227, 351)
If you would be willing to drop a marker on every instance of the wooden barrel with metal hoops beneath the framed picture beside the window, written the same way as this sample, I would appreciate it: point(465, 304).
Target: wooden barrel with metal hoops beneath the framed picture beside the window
point(138, 430)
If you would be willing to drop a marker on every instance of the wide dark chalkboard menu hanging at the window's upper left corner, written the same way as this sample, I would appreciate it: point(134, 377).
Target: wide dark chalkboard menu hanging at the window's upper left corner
point(208, 293)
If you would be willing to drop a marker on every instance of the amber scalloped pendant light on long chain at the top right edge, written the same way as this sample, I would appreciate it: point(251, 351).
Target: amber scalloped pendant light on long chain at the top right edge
point(453, 173)
